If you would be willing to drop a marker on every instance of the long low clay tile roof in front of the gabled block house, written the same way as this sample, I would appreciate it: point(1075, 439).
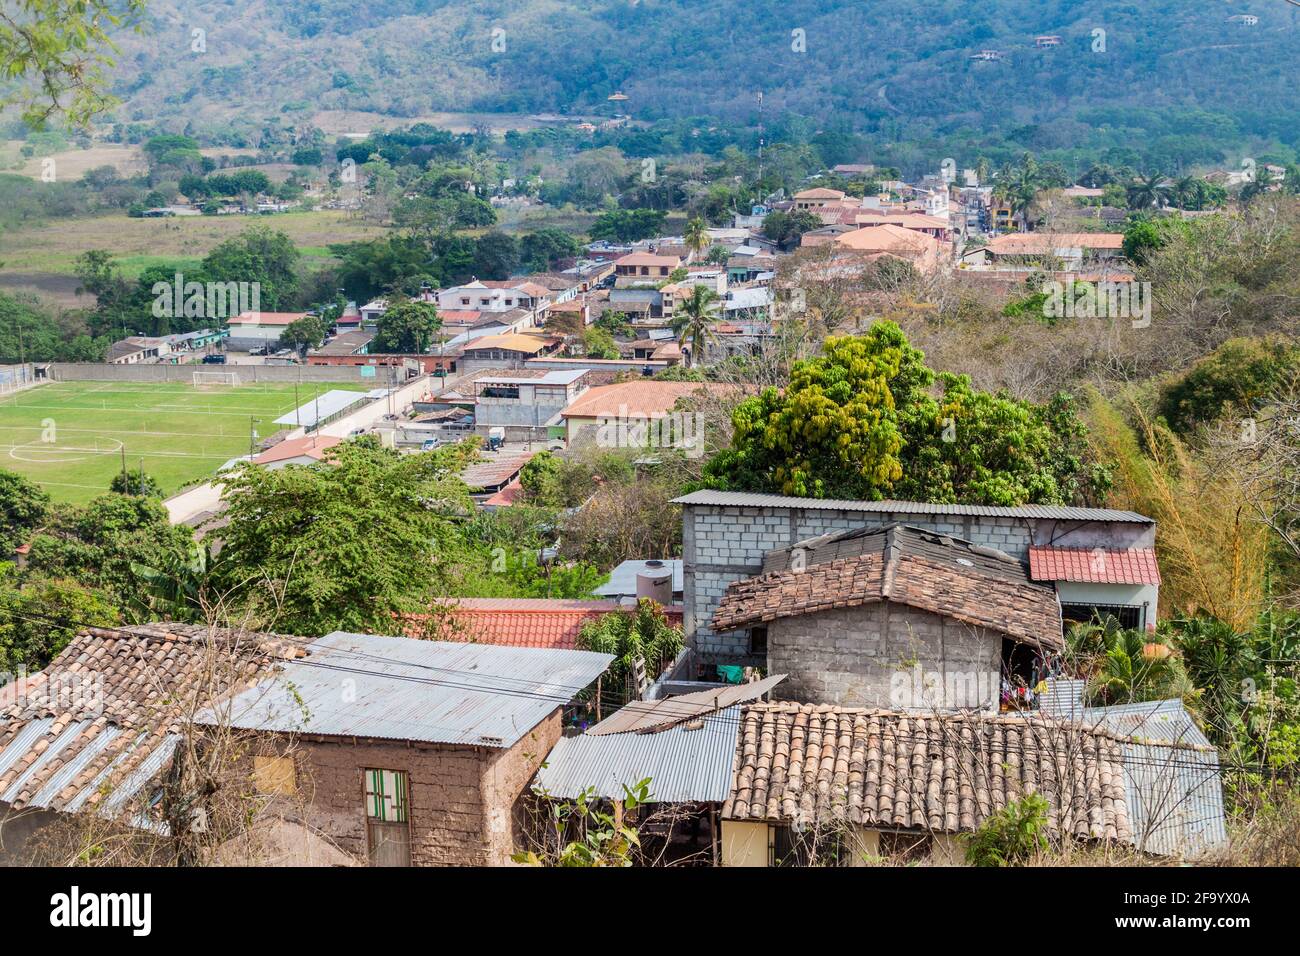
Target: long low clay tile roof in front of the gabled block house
point(822, 765)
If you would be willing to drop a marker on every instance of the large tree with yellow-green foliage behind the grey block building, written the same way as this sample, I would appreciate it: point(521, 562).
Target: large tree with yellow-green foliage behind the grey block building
point(863, 421)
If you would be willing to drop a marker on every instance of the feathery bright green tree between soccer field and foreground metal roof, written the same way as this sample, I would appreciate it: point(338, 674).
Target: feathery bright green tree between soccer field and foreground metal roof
point(348, 544)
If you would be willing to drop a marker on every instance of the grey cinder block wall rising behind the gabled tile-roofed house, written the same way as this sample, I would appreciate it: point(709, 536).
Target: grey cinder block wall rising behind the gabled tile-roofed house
point(725, 544)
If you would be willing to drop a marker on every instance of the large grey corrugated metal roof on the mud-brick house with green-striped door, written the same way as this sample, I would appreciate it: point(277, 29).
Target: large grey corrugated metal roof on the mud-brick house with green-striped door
point(401, 689)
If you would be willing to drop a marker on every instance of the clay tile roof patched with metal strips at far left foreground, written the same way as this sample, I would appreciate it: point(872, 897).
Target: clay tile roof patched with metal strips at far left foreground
point(97, 725)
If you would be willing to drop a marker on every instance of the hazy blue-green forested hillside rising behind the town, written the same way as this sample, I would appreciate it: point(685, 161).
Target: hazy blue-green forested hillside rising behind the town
point(1163, 70)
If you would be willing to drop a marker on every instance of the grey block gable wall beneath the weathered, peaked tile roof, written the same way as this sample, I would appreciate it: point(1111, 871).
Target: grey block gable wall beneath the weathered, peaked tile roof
point(886, 656)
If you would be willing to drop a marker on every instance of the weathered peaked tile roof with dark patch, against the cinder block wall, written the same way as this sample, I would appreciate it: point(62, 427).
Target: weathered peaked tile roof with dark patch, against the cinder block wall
point(898, 564)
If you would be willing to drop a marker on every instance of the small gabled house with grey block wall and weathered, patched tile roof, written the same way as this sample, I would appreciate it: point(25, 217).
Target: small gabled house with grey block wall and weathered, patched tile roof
point(895, 618)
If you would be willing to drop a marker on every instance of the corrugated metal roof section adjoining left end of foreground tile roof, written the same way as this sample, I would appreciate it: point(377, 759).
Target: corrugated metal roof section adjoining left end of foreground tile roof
point(683, 765)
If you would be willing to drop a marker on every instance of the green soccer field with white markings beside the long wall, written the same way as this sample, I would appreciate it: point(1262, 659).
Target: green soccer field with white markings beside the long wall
point(72, 436)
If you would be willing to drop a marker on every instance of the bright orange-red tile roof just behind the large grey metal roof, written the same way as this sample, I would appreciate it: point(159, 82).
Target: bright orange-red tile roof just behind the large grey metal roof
point(525, 622)
